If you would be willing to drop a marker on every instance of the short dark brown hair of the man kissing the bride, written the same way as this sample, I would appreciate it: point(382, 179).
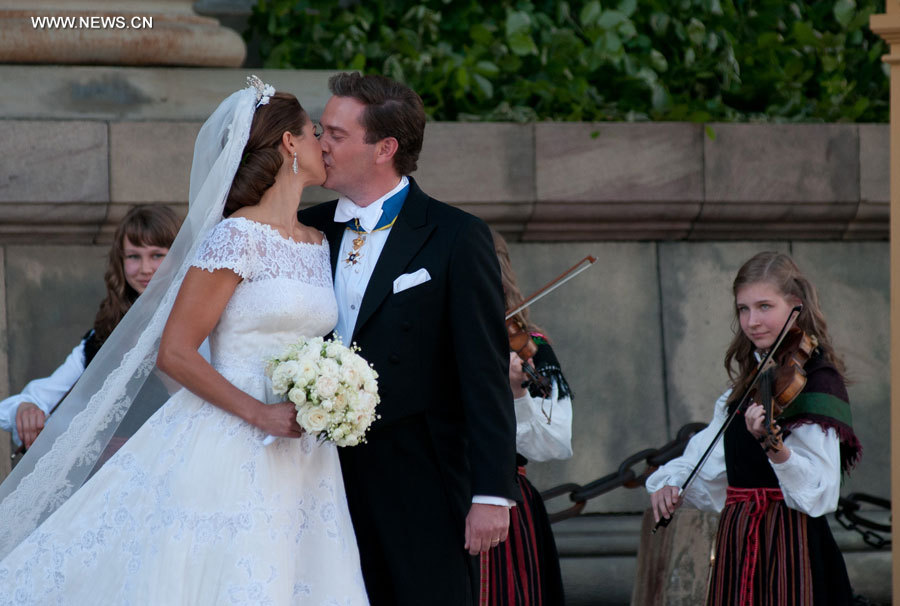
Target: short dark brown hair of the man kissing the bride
point(392, 110)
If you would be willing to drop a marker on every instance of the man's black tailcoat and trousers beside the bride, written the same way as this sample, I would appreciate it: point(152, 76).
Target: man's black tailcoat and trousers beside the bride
point(447, 426)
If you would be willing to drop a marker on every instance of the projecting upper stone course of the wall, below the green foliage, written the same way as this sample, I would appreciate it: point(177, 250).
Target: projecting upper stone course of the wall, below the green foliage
point(128, 133)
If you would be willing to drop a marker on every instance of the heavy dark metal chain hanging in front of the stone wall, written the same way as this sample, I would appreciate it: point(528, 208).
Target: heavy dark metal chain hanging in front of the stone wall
point(653, 458)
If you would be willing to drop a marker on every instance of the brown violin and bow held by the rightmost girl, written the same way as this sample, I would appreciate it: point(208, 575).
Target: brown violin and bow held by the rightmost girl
point(778, 377)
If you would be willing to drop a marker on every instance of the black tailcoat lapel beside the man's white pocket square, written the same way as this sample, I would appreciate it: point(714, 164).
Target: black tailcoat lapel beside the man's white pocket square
point(407, 236)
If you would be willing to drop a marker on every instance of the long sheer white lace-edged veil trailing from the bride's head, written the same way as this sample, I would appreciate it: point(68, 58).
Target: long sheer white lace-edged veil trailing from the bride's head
point(75, 437)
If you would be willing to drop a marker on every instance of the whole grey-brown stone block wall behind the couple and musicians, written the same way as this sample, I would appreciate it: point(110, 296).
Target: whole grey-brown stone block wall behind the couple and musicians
point(669, 210)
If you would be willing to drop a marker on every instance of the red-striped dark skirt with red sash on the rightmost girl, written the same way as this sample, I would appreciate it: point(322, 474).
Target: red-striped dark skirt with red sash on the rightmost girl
point(768, 554)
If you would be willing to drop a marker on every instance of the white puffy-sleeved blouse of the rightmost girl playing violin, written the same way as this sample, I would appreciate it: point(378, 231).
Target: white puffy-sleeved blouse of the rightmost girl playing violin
point(810, 479)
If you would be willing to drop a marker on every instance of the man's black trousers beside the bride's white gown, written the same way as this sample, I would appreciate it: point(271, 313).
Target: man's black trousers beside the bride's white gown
point(409, 536)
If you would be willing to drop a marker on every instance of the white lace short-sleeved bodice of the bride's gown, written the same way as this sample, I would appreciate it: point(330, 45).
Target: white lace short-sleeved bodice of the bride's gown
point(285, 292)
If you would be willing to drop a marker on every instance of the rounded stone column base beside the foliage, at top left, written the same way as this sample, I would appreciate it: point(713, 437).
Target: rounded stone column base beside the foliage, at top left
point(115, 32)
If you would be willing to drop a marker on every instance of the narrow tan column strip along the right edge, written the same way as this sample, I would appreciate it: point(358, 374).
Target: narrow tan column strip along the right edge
point(887, 26)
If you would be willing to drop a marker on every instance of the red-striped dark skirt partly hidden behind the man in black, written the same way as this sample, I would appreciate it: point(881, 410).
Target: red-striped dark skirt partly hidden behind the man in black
point(524, 569)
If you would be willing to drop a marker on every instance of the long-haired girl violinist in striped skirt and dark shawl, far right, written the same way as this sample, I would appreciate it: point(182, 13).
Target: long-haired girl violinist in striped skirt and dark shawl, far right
point(773, 486)
